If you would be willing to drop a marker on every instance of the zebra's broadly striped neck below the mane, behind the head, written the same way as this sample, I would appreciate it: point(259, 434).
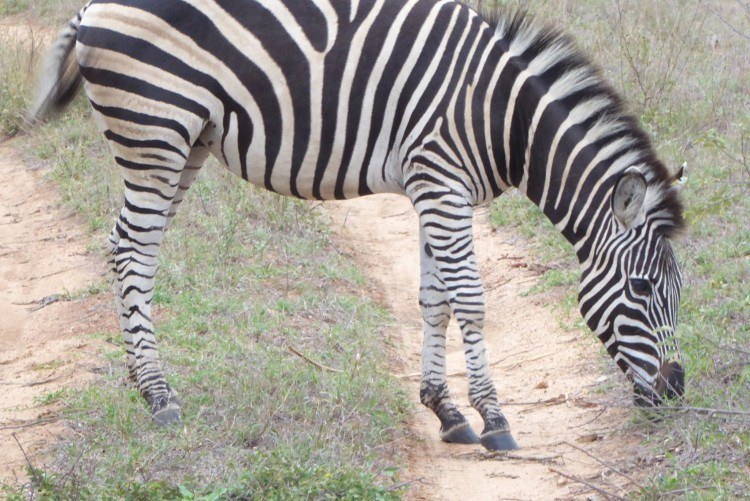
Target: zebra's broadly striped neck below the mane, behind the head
point(562, 168)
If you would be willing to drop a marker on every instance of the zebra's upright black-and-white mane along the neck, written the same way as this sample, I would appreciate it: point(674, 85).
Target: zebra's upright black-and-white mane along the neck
point(530, 41)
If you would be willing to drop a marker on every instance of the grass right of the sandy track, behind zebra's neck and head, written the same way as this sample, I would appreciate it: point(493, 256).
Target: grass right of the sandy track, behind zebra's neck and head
point(684, 72)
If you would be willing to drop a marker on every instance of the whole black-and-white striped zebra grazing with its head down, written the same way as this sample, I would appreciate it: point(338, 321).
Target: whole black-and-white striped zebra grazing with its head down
point(332, 99)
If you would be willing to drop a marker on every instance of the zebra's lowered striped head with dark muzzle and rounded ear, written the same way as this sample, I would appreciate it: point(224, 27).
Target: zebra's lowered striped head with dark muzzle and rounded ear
point(630, 288)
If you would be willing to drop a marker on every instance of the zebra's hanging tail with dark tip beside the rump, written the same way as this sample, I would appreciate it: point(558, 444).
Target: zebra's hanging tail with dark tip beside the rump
point(60, 78)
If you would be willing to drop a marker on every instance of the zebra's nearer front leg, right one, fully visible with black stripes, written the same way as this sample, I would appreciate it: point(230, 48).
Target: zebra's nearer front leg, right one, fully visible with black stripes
point(445, 219)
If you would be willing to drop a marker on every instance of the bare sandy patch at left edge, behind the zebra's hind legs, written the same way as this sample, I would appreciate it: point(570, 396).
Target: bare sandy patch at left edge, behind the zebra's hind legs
point(43, 261)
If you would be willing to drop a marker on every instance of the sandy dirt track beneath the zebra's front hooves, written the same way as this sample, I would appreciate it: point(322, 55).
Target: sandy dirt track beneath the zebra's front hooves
point(535, 360)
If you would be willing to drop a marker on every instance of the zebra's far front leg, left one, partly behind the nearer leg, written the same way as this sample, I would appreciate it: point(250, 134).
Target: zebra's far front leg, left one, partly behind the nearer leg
point(436, 313)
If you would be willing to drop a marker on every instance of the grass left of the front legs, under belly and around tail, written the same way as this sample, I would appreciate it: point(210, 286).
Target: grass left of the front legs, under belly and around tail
point(244, 279)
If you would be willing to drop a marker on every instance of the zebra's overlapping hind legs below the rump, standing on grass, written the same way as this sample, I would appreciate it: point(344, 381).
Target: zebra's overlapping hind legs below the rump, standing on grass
point(152, 194)
